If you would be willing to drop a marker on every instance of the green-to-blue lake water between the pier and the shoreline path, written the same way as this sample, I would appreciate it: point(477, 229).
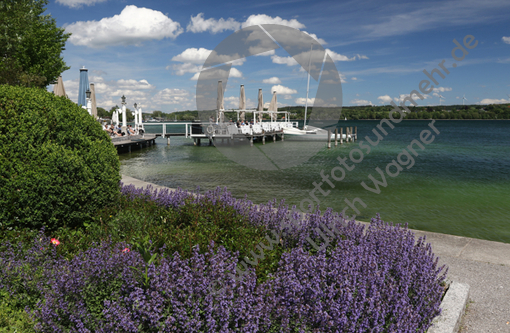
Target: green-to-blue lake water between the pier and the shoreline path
point(460, 183)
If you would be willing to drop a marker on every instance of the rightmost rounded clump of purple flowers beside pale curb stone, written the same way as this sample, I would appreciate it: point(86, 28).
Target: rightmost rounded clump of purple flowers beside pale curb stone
point(381, 282)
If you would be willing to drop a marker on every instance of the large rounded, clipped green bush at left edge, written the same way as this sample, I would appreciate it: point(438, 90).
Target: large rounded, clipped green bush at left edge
point(57, 165)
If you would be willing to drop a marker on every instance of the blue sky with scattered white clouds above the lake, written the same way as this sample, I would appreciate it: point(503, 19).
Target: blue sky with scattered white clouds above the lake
point(150, 51)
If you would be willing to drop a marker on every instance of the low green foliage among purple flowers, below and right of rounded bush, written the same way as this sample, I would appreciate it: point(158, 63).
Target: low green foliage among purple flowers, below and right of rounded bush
point(178, 229)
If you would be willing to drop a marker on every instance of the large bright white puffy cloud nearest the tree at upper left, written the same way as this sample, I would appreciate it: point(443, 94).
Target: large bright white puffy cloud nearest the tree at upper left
point(132, 26)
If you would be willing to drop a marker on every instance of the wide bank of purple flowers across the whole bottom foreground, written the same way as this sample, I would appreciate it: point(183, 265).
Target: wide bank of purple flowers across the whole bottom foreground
point(373, 280)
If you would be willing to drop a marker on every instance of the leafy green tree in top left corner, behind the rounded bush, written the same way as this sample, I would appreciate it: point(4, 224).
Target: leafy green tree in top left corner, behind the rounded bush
point(30, 44)
